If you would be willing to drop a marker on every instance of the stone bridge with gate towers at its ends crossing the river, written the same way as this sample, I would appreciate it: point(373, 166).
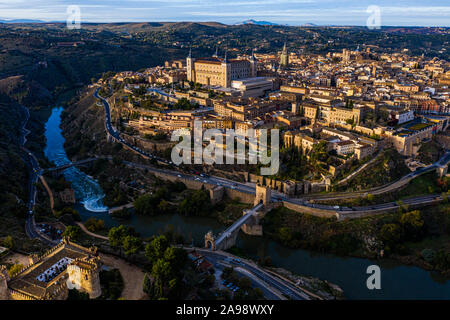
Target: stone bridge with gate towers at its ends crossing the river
point(248, 223)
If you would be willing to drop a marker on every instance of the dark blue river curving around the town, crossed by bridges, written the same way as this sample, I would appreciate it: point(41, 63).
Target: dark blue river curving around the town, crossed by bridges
point(397, 281)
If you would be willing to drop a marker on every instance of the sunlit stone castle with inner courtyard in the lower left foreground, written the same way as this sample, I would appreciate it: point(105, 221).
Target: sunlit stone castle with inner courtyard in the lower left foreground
point(50, 276)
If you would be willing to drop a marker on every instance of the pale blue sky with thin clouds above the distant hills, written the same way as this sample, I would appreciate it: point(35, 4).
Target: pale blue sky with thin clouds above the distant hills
point(291, 12)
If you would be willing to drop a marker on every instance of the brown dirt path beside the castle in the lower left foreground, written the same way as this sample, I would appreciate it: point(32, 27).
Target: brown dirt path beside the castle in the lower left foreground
point(133, 277)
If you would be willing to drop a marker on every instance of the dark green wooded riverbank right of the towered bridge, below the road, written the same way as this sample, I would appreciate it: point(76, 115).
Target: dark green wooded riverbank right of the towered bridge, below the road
point(403, 235)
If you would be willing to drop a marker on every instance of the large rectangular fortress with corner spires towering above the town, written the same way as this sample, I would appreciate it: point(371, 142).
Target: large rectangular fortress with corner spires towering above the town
point(215, 71)
